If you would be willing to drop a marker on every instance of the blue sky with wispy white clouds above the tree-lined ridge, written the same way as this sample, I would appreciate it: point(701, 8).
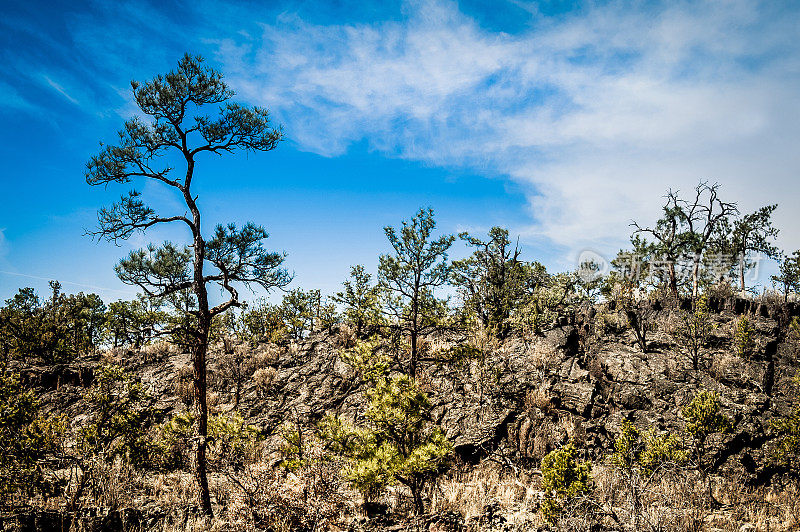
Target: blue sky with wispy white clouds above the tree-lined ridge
point(562, 121)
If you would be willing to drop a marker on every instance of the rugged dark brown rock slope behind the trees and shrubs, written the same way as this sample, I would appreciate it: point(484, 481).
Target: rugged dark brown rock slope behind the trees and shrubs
point(527, 397)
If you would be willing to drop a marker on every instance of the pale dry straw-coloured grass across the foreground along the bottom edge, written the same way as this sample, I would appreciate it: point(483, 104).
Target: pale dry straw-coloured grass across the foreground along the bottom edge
point(264, 496)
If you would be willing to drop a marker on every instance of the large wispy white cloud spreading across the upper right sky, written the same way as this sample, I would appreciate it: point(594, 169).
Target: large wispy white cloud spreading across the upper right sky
point(597, 114)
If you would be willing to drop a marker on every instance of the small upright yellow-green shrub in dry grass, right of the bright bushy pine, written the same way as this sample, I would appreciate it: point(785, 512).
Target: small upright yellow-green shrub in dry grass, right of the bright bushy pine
point(564, 479)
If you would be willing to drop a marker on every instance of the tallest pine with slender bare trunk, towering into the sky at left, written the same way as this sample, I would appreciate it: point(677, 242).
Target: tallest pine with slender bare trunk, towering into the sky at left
point(179, 131)
